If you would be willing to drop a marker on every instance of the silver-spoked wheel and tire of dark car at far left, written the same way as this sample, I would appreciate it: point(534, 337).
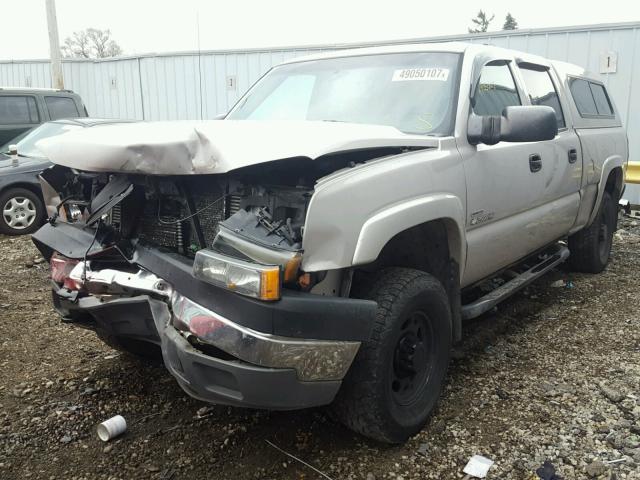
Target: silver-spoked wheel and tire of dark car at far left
point(24, 203)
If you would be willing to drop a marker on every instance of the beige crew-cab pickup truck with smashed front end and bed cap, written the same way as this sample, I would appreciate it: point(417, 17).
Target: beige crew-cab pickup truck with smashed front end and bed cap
point(324, 242)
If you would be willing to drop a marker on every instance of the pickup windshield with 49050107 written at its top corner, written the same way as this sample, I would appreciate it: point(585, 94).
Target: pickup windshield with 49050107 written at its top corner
point(413, 92)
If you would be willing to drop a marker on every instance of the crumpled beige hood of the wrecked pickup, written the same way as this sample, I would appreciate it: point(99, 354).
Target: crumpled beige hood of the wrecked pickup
point(217, 146)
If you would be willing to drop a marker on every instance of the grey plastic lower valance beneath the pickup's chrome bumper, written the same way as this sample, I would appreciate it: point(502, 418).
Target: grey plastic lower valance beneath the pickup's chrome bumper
point(205, 377)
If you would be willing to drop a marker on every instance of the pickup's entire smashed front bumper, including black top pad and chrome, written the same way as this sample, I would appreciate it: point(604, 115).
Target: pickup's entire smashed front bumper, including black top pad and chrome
point(287, 354)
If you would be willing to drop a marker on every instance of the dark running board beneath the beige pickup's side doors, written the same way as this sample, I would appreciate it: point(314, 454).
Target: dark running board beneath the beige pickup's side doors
point(556, 256)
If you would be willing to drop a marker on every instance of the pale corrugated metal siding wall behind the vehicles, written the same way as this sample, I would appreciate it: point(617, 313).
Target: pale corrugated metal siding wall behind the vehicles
point(192, 86)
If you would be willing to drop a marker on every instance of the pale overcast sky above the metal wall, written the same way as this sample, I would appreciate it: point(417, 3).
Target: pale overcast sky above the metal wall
point(142, 26)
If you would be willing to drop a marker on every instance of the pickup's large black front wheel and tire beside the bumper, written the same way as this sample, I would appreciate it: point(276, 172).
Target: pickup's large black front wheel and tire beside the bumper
point(397, 375)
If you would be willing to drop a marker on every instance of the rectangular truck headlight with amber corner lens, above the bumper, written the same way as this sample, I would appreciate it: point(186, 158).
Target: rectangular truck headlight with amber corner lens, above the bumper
point(254, 280)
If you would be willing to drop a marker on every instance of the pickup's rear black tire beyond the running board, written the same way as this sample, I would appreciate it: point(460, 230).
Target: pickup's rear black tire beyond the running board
point(591, 247)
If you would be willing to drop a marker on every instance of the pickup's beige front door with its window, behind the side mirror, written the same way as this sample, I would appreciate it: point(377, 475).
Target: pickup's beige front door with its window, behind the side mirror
point(508, 213)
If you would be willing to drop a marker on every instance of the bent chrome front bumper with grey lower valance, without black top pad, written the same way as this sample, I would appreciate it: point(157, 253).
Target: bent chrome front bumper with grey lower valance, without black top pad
point(258, 370)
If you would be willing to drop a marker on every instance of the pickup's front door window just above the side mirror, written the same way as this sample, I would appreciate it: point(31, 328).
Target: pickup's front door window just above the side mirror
point(496, 90)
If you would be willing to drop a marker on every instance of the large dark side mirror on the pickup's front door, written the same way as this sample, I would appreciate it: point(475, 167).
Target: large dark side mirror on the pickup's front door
point(516, 124)
